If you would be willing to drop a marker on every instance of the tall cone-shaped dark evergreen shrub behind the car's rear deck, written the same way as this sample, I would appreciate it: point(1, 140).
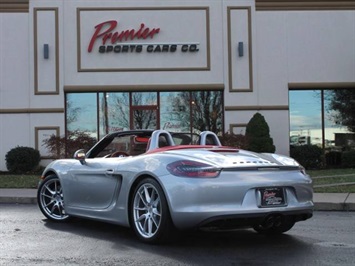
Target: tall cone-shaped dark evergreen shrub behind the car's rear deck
point(258, 135)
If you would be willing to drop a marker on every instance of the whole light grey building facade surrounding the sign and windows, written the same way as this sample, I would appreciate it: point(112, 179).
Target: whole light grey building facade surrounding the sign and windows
point(286, 44)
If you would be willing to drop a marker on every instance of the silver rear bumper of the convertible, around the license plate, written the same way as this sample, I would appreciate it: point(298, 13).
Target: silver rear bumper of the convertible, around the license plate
point(193, 205)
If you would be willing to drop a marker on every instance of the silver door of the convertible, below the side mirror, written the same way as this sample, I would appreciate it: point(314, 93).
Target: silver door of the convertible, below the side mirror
point(92, 185)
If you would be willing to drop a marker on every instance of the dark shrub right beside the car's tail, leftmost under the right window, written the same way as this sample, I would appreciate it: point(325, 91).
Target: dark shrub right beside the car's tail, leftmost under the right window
point(309, 156)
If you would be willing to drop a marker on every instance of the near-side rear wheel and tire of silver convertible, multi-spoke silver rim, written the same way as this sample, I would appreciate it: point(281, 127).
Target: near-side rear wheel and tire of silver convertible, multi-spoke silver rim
point(149, 213)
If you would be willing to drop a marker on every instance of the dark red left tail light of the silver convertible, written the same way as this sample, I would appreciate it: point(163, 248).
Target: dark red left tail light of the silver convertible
point(185, 168)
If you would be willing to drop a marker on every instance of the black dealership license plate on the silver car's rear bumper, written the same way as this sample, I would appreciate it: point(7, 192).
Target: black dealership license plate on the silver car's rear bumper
point(272, 197)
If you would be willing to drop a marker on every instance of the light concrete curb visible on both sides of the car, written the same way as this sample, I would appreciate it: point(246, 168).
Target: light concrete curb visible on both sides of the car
point(322, 201)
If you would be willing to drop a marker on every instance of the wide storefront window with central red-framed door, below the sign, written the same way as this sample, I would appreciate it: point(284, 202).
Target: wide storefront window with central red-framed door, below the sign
point(181, 111)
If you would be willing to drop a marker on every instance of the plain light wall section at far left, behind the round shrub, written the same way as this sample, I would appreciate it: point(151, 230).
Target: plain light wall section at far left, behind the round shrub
point(14, 82)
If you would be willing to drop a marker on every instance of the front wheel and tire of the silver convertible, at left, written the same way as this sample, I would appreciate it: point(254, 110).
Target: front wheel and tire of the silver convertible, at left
point(50, 199)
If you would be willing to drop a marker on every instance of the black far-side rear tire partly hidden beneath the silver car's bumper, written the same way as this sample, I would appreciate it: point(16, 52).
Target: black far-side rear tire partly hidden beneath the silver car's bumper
point(275, 225)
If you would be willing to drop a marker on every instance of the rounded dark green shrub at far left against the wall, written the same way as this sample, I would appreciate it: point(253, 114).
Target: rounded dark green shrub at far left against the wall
point(22, 159)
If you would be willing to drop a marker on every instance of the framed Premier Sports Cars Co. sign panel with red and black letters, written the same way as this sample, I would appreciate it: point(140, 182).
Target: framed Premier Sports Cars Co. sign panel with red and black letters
point(165, 39)
